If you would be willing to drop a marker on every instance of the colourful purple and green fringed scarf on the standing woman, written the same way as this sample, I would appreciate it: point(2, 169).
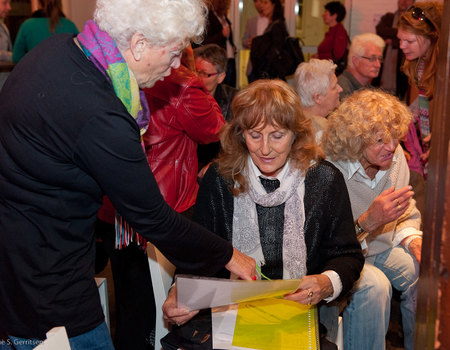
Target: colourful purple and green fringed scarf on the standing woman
point(101, 49)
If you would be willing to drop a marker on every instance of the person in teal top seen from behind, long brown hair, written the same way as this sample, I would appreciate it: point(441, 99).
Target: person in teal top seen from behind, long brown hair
point(35, 30)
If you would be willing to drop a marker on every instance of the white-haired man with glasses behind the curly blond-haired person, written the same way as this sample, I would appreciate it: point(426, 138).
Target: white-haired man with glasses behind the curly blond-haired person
point(364, 63)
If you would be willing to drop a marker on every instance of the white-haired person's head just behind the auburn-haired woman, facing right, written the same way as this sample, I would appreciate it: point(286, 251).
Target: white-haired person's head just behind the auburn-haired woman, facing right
point(316, 85)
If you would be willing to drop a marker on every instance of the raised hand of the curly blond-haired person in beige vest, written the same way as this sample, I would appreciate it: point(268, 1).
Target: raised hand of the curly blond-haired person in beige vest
point(387, 207)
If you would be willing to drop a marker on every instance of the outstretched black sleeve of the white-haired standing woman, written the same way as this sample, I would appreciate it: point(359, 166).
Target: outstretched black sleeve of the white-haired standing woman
point(125, 177)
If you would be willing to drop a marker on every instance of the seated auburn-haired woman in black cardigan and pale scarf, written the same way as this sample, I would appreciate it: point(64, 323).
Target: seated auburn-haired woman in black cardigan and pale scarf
point(273, 196)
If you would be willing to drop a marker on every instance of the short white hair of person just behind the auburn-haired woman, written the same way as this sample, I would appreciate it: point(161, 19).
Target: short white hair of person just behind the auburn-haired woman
point(311, 78)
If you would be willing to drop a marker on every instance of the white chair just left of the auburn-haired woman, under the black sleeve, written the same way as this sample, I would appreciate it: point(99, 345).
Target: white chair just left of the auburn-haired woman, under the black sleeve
point(161, 271)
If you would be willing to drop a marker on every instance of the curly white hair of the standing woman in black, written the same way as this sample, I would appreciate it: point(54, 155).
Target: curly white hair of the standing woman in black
point(162, 22)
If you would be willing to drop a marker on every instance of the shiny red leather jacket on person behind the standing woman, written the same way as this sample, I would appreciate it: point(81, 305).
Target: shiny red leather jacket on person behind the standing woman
point(184, 115)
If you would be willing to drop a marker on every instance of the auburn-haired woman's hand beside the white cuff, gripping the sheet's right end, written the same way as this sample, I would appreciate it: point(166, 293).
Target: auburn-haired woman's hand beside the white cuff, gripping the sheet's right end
point(312, 290)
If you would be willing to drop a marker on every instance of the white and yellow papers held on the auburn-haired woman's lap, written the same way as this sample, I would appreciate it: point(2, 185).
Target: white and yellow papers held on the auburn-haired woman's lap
point(251, 314)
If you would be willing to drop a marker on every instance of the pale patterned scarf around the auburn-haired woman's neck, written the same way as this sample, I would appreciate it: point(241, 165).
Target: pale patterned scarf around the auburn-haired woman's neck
point(245, 219)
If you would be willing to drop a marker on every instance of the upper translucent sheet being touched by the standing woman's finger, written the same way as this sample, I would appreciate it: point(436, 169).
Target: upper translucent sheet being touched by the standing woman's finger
point(195, 293)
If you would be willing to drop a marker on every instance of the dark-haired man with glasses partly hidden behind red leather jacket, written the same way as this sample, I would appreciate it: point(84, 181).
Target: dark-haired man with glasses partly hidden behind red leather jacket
point(211, 66)
